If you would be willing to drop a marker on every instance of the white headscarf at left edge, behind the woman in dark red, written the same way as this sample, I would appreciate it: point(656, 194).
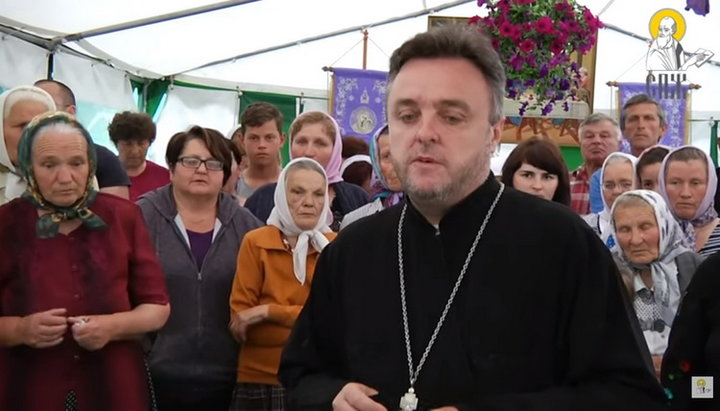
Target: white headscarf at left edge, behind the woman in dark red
point(14, 184)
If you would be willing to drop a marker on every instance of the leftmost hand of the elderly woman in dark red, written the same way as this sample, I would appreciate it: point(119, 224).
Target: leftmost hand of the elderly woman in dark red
point(44, 329)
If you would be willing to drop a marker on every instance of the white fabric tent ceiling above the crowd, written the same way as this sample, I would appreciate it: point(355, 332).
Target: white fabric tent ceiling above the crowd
point(178, 47)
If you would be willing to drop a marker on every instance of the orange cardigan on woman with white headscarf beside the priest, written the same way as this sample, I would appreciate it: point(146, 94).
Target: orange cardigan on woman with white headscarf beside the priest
point(265, 275)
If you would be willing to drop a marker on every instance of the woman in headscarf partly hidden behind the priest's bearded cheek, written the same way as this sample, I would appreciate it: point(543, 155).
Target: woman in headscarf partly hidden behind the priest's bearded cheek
point(386, 185)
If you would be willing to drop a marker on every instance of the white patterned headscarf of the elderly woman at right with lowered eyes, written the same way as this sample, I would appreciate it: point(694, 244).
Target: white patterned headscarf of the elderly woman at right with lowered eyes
point(663, 269)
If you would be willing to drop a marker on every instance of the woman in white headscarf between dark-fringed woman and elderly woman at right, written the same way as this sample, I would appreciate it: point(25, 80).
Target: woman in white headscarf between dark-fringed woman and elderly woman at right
point(617, 176)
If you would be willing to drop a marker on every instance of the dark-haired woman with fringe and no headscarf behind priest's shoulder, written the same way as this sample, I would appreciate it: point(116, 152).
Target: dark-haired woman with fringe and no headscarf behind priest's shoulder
point(536, 167)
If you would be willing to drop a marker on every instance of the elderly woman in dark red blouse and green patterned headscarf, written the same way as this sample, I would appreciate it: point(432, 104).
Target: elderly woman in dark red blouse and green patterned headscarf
point(79, 282)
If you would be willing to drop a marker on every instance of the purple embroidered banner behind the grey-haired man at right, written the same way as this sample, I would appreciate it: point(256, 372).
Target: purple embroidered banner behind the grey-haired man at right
point(673, 105)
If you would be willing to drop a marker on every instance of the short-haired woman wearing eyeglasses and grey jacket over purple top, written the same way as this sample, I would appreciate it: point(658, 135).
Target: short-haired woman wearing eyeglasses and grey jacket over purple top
point(197, 230)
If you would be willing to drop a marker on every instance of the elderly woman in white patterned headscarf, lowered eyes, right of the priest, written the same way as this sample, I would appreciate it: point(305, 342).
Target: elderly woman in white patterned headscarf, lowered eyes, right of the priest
point(650, 244)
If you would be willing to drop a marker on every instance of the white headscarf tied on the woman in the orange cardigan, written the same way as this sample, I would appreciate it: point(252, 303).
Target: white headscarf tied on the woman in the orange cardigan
point(281, 218)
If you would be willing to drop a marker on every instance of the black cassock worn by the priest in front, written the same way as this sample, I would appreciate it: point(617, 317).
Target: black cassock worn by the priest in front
point(539, 322)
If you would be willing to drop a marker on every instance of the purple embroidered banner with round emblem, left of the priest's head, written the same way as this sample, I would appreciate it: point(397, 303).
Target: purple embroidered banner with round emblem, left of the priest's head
point(359, 101)
